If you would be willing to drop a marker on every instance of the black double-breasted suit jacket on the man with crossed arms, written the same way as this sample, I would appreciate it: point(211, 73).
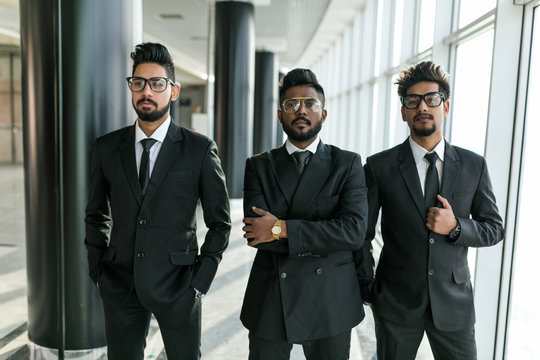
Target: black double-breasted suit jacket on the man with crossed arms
point(304, 287)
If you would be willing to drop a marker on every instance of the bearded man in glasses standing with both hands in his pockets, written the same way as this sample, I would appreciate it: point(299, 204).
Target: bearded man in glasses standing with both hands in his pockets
point(145, 183)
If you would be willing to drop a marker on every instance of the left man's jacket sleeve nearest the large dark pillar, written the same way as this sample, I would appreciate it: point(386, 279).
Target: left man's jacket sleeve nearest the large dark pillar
point(97, 215)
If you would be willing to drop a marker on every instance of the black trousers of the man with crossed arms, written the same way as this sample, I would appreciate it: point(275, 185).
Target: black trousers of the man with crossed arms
point(333, 348)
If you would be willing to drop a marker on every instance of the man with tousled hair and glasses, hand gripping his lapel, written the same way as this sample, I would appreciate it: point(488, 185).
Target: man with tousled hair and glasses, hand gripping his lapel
point(437, 201)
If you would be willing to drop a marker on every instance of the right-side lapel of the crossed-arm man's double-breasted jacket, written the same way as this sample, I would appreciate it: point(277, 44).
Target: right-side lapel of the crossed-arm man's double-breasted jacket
point(313, 177)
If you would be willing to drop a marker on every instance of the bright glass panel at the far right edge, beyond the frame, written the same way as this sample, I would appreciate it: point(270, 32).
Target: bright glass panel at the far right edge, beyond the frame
point(523, 331)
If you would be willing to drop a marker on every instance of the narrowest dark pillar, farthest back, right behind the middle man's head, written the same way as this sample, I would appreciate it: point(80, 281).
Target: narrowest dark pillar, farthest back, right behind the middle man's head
point(265, 118)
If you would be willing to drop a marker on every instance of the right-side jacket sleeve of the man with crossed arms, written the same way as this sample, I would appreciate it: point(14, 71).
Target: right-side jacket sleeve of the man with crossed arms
point(346, 228)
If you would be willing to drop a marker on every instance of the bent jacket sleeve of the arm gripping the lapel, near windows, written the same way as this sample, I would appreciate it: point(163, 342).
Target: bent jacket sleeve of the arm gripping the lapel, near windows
point(485, 226)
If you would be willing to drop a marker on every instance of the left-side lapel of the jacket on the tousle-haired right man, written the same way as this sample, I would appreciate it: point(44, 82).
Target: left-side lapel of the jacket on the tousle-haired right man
point(409, 172)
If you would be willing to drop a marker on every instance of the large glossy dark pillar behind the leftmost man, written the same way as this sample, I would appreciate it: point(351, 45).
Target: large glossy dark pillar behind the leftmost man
point(75, 56)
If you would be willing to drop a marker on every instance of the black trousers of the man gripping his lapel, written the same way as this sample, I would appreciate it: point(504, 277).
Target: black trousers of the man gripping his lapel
point(399, 342)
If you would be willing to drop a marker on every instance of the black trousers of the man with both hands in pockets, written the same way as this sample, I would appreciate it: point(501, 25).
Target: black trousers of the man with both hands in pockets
point(126, 328)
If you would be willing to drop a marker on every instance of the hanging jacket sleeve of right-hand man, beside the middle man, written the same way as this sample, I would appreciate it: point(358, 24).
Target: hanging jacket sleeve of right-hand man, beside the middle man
point(365, 262)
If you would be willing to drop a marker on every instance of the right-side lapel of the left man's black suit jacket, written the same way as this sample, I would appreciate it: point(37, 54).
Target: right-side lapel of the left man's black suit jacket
point(167, 153)
